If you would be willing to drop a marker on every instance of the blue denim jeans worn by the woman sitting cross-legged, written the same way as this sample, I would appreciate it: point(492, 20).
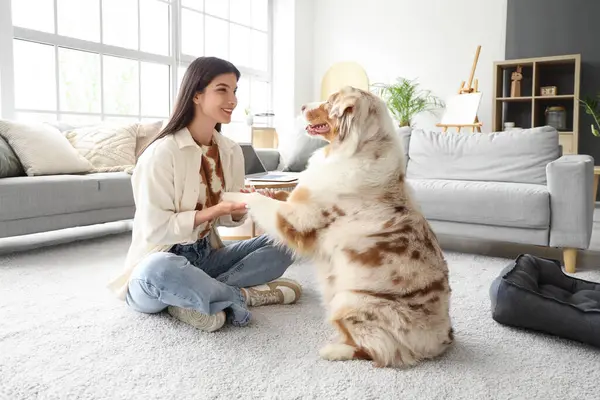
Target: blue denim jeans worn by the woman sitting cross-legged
point(205, 279)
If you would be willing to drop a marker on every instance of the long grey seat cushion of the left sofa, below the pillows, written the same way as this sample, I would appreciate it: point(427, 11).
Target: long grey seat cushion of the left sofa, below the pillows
point(36, 196)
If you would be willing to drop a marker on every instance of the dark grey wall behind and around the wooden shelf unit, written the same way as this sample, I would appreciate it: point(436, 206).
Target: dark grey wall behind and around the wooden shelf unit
point(540, 28)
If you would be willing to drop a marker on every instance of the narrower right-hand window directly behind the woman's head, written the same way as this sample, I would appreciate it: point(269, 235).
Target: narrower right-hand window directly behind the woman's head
point(236, 30)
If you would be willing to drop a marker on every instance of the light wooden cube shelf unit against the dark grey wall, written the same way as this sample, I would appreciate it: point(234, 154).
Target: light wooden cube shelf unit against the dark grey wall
point(527, 111)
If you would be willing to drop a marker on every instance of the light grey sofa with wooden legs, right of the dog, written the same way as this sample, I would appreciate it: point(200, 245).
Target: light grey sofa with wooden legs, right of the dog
point(509, 186)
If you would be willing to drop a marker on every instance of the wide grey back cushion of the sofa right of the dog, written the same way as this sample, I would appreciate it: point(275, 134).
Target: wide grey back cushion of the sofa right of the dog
point(511, 156)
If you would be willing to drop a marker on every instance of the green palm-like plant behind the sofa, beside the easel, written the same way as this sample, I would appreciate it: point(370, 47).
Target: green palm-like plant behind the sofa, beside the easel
point(405, 99)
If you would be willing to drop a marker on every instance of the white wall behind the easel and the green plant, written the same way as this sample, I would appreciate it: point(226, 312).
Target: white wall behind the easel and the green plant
point(432, 40)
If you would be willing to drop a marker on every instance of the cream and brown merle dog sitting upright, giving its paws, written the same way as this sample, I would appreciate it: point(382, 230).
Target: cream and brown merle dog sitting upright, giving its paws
point(382, 274)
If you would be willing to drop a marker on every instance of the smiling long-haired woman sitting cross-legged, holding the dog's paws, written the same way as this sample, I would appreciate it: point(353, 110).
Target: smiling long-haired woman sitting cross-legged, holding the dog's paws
point(176, 259)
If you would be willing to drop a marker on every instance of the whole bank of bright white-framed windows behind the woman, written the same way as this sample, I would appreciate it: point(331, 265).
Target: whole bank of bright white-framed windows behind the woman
point(123, 60)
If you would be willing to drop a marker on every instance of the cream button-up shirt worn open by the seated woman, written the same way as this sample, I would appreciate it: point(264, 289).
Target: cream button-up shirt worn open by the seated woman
point(166, 188)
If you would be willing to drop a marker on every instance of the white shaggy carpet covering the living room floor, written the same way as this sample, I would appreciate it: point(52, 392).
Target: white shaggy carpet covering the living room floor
point(63, 336)
